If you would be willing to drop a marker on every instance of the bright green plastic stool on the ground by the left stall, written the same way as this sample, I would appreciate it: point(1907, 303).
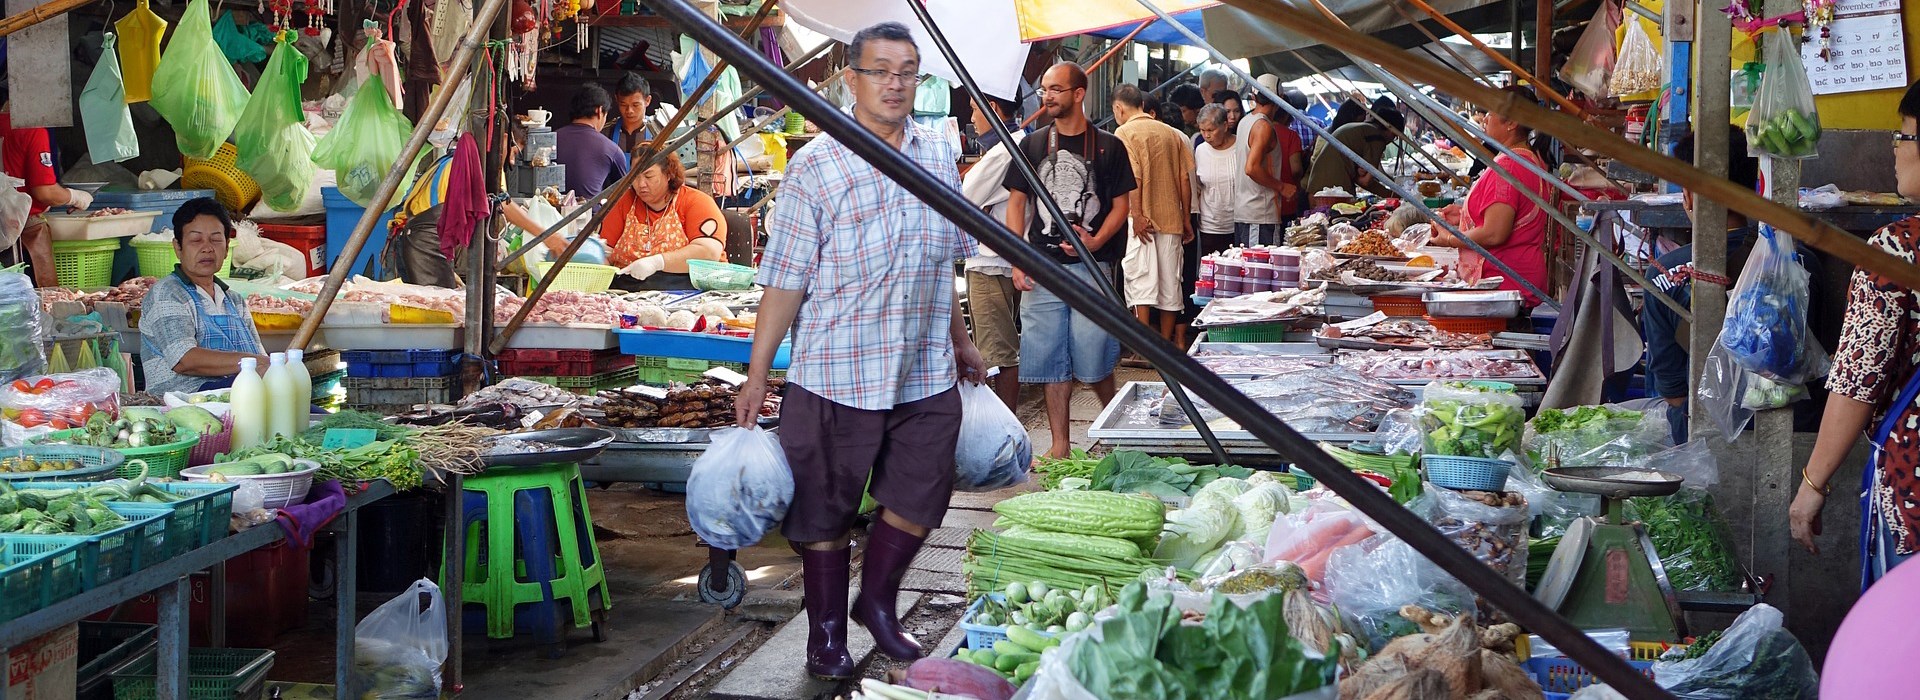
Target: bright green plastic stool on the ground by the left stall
point(525, 553)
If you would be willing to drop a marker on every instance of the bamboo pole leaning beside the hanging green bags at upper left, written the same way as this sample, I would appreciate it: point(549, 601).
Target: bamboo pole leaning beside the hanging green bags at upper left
point(464, 62)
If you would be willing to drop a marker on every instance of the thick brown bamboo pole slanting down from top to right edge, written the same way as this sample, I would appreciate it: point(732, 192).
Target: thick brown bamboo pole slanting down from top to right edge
point(1572, 129)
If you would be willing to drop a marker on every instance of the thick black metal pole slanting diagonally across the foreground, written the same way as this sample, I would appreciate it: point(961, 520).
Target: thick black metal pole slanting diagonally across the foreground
point(1364, 496)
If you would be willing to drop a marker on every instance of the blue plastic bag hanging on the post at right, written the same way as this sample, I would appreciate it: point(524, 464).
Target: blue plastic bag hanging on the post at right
point(1765, 327)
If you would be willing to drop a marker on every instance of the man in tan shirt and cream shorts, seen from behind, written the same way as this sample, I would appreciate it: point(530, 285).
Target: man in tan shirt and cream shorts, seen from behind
point(1164, 166)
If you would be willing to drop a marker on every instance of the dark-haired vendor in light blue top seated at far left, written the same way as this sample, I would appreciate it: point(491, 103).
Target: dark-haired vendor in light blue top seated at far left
point(193, 331)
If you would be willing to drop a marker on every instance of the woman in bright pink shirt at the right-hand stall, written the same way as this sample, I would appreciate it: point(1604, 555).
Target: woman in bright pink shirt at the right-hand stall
point(1499, 216)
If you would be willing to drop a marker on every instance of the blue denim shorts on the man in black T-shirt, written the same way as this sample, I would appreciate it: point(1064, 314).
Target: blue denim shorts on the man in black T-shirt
point(1059, 344)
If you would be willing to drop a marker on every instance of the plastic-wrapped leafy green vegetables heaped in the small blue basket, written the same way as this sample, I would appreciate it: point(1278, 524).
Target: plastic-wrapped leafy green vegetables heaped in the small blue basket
point(1472, 419)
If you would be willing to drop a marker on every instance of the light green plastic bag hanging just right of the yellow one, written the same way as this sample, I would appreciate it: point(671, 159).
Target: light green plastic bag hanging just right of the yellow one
point(195, 89)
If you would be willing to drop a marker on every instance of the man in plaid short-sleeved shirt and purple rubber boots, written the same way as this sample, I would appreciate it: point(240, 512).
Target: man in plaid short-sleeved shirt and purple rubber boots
point(863, 275)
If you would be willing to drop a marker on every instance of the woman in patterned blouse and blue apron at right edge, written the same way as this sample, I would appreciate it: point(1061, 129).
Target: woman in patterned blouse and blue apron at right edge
point(1875, 385)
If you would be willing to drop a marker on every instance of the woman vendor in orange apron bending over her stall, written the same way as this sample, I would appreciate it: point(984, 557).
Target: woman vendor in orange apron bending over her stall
point(660, 225)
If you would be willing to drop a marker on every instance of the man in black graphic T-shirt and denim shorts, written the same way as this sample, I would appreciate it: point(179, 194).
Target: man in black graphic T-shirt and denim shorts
point(1088, 172)
